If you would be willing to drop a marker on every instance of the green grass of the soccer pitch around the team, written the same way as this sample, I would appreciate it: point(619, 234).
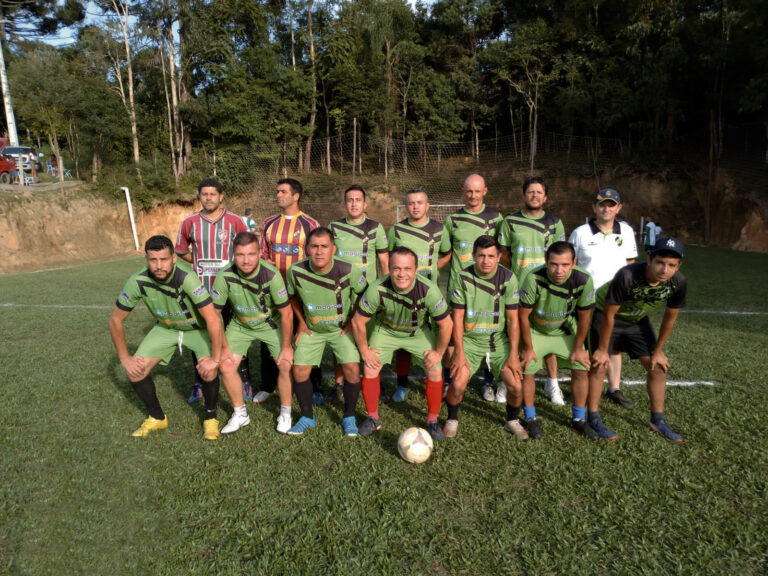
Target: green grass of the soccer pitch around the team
point(80, 496)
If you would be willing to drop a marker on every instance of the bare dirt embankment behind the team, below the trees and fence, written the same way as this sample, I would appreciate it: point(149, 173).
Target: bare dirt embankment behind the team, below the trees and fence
point(49, 229)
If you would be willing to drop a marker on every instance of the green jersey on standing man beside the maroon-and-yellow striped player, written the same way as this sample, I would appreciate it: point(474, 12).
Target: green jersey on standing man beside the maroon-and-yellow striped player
point(359, 243)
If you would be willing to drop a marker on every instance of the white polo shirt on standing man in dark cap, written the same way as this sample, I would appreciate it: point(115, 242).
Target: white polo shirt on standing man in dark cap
point(603, 254)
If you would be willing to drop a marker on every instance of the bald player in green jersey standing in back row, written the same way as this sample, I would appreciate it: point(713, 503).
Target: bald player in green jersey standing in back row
point(463, 227)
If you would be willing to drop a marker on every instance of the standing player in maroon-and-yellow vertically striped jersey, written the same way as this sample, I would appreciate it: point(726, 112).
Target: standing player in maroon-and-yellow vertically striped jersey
point(283, 237)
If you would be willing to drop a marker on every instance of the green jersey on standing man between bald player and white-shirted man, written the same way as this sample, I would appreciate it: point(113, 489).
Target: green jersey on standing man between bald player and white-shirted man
point(527, 239)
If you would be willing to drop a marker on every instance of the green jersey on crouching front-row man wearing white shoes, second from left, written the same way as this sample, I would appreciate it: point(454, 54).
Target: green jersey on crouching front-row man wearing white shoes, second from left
point(256, 299)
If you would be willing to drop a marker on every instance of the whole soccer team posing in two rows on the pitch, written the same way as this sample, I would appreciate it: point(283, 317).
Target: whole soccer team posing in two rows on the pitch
point(520, 298)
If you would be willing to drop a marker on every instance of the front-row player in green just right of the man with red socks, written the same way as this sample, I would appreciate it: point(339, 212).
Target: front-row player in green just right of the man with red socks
point(484, 300)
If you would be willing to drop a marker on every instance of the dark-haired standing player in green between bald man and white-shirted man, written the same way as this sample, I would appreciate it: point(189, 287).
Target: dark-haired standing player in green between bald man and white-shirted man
point(526, 235)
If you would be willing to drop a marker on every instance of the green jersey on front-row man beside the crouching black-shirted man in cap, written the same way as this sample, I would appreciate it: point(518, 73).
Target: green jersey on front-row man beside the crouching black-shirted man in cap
point(555, 305)
